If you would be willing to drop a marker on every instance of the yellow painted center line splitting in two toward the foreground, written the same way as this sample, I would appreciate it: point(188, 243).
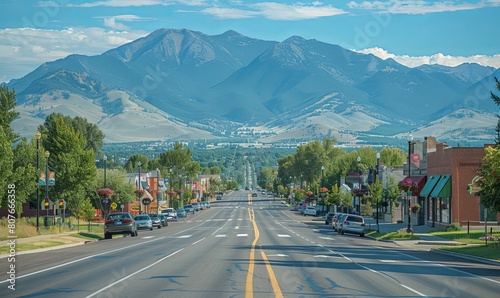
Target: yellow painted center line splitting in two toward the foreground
point(251, 264)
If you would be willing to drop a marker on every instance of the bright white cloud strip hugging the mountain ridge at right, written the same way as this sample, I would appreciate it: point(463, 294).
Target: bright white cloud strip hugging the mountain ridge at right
point(439, 58)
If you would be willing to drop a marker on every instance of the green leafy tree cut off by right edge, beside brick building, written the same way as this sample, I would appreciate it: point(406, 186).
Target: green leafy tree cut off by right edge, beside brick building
point(490, 181)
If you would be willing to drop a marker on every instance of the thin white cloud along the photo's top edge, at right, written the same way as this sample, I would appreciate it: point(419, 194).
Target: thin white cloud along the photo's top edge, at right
point(419, 6)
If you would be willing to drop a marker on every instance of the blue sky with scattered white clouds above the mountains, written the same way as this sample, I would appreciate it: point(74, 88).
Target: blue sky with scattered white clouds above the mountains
point(412, 32)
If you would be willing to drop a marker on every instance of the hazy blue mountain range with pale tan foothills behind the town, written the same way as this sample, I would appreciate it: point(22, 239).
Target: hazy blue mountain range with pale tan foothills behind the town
point(179, 84)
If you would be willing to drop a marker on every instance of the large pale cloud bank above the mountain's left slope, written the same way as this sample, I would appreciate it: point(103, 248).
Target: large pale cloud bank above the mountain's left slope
point(24, 49)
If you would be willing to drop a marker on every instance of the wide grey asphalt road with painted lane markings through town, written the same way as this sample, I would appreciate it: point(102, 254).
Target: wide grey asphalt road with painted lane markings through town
point(246, 247)
